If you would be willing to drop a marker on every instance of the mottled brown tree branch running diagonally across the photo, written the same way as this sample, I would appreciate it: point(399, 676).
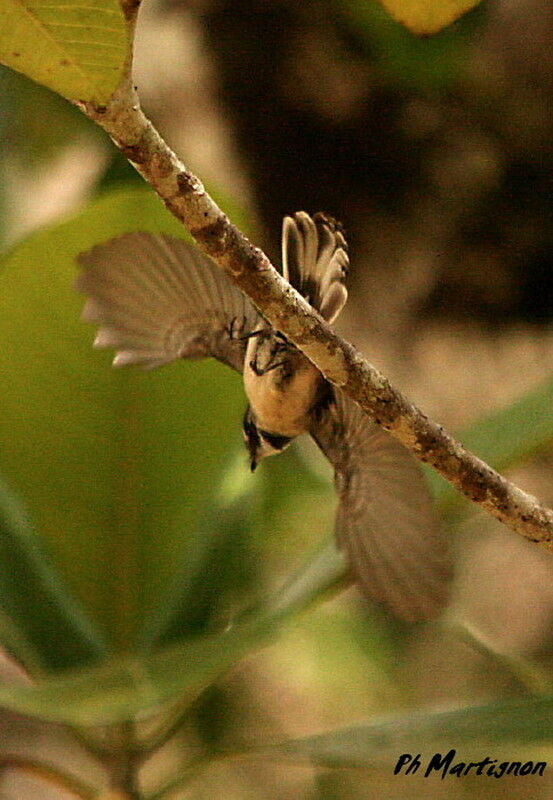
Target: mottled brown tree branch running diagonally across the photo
point(185, 196)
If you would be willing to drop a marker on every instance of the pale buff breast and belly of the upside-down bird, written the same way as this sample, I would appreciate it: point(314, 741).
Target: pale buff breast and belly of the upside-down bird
point(282, 406)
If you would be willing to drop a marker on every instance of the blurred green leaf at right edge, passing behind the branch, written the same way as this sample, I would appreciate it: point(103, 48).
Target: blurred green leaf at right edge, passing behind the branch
point(506, 437)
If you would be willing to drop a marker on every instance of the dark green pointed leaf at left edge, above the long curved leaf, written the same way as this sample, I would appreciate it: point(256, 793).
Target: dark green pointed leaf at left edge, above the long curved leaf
point(40, 623)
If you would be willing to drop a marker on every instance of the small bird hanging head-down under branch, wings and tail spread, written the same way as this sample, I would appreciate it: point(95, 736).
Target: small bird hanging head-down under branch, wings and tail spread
point(158, 299)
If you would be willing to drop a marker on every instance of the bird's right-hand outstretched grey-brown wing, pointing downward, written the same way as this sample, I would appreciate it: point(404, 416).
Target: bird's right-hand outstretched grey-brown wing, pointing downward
point(384, 519)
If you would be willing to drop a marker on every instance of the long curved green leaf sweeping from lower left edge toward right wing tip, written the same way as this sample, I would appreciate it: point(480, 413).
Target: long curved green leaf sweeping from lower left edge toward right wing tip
point(128, 687)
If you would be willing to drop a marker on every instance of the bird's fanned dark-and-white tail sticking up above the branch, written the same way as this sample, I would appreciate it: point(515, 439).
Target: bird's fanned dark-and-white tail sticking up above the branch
point(315, 261)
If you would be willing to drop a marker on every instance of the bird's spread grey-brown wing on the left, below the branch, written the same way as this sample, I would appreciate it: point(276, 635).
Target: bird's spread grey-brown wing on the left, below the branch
point(157, 299)
